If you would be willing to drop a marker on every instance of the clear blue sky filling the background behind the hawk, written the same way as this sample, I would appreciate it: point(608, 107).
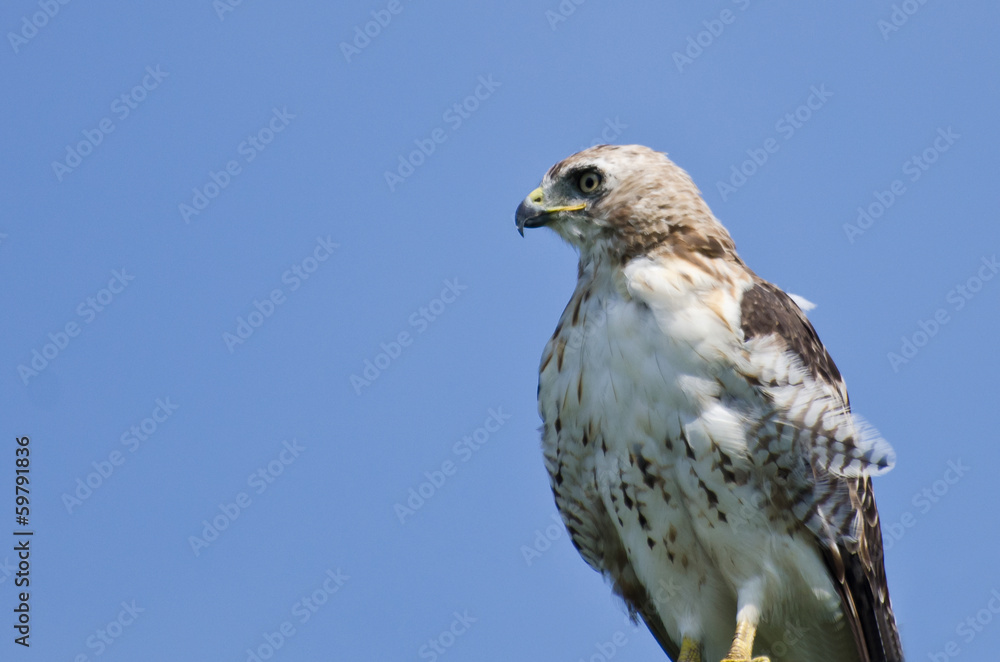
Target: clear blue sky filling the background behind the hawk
point(199, 239)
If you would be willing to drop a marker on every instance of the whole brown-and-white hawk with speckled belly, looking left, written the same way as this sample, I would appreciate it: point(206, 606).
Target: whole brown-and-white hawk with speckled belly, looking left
point(697, 433)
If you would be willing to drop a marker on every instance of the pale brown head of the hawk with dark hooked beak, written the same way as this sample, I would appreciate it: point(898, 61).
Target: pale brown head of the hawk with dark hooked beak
point(624, 201)
